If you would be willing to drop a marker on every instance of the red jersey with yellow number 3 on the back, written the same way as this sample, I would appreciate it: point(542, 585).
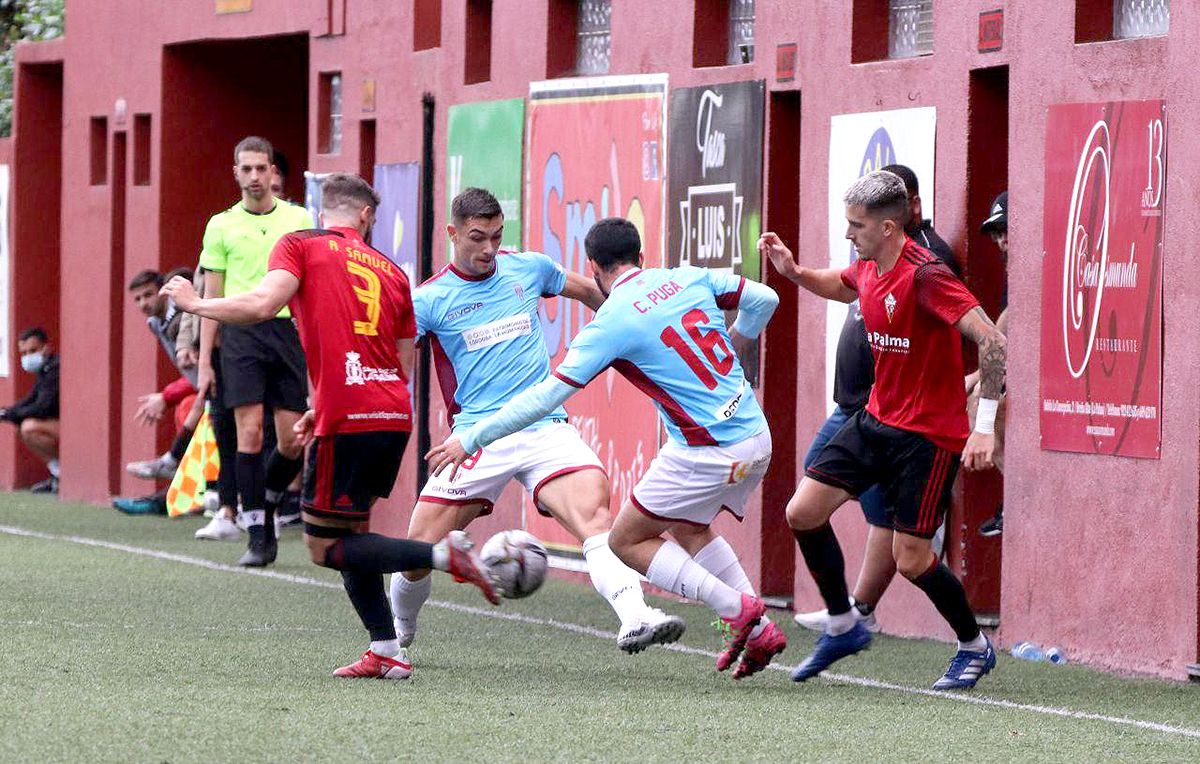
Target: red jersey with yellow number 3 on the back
point(353, 308)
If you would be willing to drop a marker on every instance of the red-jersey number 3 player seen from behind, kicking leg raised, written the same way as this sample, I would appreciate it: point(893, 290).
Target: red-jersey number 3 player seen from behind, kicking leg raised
point(356, 317)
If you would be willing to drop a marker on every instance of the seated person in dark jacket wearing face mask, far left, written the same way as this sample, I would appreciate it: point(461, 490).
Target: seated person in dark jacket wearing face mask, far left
point(38, 414)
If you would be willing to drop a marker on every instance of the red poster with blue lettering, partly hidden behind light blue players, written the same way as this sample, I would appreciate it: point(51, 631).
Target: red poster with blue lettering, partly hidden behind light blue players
point(596, 149)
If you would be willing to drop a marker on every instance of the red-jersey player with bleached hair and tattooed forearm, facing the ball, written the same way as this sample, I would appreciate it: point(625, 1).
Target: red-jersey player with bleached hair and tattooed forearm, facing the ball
point(914, 432)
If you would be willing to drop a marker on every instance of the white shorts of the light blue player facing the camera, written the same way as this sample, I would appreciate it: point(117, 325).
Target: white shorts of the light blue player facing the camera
point(533, 456)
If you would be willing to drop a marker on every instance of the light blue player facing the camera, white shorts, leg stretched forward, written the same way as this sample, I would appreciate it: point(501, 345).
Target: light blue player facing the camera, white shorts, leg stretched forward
point(479, 316)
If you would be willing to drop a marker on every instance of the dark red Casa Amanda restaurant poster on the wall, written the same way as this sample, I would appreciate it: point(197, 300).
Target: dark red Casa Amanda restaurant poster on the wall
point(1102, 299)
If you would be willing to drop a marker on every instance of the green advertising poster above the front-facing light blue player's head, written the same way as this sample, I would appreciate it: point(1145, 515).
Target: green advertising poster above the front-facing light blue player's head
point(484, 142)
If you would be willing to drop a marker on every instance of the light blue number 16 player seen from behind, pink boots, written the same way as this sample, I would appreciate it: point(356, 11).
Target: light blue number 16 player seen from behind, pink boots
point(664, 330)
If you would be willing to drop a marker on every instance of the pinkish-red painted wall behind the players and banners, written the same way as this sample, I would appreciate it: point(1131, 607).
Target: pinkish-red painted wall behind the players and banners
point(1100, 554)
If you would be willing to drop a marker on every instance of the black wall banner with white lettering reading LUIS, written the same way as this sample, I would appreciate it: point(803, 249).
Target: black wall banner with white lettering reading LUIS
point(715, 188)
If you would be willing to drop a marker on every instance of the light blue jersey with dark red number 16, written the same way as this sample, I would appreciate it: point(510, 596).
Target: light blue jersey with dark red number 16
point(664, 330)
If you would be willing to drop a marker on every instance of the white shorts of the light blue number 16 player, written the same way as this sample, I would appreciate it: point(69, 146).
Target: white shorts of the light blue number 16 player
point(694, 484)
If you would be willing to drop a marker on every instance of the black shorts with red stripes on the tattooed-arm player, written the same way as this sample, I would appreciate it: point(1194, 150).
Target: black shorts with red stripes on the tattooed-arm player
point(914, 473)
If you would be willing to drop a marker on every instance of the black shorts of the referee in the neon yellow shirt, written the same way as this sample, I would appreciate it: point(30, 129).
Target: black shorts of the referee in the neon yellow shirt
point(263, 364)
